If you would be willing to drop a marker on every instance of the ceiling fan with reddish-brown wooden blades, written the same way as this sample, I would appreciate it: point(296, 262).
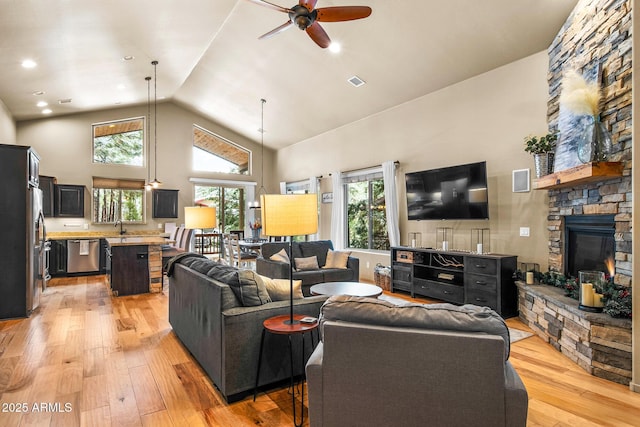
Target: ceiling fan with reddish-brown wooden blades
point(307, 18)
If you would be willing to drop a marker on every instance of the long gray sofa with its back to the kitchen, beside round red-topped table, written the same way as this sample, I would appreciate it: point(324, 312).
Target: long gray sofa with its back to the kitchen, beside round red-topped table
point(222, 333)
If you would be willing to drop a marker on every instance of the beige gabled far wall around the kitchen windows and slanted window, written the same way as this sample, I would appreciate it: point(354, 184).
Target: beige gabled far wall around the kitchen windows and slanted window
point(64, 145)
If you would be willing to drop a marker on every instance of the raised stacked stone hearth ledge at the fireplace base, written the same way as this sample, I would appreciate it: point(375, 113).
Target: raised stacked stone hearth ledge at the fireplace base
point(598, 343)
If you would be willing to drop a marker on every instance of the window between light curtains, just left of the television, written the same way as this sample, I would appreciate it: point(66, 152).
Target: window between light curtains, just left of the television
point(366, 214)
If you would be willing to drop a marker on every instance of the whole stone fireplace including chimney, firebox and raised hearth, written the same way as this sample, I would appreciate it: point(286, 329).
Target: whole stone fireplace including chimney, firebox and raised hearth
point(590, 221)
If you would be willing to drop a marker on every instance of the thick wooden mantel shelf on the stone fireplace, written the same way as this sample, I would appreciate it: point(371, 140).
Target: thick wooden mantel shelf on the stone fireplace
point(589, 172)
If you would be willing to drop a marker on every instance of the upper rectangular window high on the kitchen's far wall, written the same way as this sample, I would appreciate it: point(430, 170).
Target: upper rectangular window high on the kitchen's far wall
point(120, 142)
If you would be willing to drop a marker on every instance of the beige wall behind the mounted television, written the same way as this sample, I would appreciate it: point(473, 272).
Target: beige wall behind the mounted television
point(483, 118)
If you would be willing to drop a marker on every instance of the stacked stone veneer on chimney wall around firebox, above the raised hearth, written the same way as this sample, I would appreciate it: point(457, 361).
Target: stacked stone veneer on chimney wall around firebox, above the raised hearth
point(597, 32)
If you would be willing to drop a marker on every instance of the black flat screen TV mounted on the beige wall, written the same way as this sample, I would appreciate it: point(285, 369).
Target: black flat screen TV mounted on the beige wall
point(454, 192)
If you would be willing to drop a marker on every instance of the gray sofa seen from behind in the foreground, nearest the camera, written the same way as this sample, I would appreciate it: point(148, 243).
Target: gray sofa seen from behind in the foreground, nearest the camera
point(412, 365)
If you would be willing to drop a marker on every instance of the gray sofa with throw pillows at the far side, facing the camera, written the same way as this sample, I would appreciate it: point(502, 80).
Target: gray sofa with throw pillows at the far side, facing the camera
point(318, 248)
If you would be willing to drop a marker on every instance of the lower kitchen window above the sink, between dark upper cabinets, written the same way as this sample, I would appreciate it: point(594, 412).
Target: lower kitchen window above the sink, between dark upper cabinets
point(118, 199)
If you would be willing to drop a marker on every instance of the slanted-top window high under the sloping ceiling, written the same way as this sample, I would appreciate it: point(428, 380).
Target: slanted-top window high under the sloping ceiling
point(213, 153)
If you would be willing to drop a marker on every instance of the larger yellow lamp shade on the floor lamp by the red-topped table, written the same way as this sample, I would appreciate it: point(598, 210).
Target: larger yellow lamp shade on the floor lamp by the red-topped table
point(289, 214)
